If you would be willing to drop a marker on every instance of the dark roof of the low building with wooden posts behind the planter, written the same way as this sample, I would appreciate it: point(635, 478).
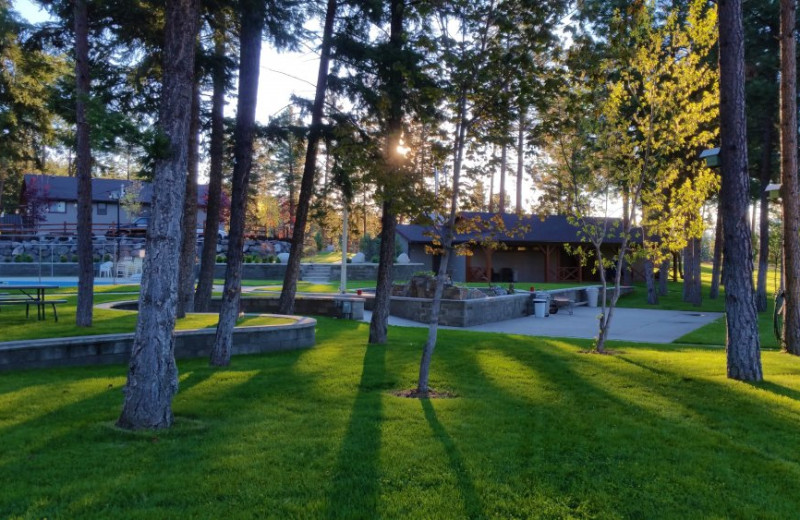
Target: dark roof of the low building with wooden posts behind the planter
point(511, 228)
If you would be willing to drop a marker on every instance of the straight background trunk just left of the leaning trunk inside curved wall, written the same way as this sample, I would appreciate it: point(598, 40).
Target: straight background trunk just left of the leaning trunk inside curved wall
point(208, 258)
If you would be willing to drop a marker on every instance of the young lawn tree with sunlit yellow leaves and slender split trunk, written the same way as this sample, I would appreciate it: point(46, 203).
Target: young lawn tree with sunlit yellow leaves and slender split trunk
point(656, 107)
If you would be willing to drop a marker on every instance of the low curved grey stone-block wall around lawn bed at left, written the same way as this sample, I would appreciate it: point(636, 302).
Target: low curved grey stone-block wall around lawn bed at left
point(116, 348)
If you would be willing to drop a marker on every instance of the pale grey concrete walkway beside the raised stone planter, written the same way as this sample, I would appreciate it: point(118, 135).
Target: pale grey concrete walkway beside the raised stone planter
point(637, 325)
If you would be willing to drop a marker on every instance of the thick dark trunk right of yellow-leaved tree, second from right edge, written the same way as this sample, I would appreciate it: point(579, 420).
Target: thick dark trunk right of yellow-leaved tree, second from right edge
point(742, 345)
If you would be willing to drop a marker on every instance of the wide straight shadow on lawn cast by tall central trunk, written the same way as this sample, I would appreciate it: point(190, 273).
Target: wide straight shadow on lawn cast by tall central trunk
point(354, 492)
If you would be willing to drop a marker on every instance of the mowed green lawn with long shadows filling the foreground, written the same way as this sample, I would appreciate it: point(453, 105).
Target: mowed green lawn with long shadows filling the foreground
point(538, 430)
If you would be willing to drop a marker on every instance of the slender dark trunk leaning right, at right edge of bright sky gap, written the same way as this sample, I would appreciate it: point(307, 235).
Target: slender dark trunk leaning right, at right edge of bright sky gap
point(286, 301)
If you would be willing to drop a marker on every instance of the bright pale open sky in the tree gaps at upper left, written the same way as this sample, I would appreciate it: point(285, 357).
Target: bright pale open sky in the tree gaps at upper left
point(282, 74)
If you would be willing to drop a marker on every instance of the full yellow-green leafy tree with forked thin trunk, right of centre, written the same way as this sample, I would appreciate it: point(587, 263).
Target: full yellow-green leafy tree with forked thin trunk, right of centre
point(633, 128)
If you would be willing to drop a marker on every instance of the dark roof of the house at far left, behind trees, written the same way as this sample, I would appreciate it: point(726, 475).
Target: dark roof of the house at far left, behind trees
point(103, 190)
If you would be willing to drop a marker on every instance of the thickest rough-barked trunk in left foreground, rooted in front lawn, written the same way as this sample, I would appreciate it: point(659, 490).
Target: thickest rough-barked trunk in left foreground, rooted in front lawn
point(153, 375)
